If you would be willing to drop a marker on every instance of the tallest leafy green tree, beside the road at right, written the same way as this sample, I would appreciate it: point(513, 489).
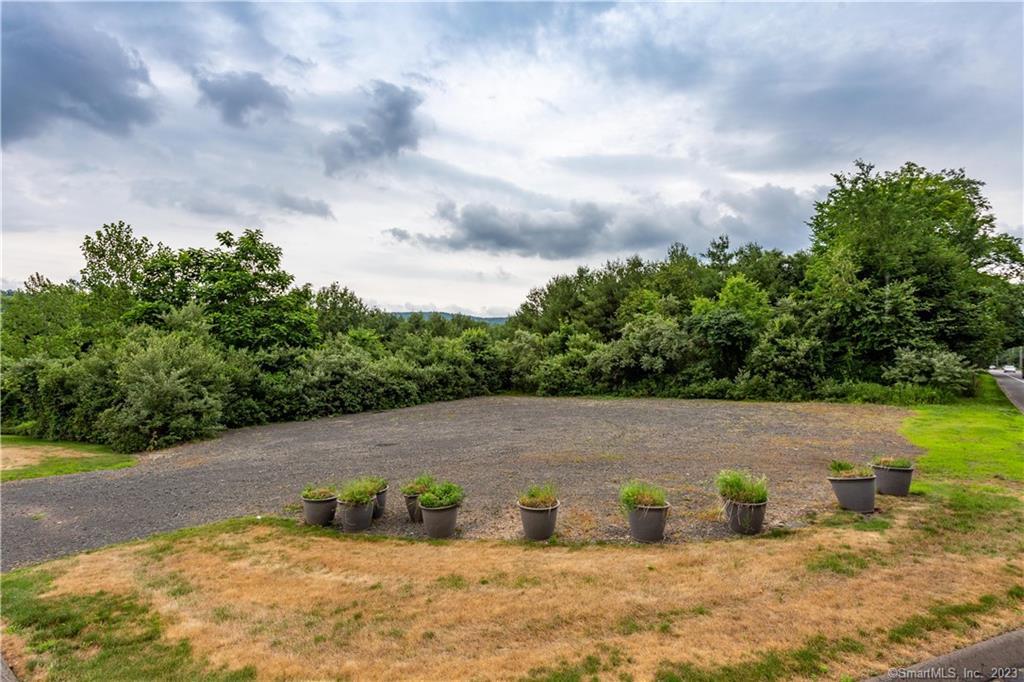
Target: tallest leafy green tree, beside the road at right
point(930, 233)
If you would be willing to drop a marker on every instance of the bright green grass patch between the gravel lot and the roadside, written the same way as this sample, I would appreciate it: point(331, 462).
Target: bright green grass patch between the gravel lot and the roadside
point(975, 439)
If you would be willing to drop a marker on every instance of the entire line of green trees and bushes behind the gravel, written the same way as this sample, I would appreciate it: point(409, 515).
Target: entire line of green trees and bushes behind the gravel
point(906, 289)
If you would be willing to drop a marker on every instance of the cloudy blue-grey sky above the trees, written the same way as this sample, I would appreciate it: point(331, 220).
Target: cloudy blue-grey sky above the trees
point(452, 157)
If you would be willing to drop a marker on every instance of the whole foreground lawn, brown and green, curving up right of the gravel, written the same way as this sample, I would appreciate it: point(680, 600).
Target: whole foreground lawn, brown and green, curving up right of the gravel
point(268, 599)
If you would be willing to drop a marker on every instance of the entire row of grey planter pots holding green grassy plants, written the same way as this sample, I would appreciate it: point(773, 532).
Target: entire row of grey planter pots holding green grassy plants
point(745, 496)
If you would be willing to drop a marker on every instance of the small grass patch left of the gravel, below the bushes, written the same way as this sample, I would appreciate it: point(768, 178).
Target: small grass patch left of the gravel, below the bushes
point(23, 458)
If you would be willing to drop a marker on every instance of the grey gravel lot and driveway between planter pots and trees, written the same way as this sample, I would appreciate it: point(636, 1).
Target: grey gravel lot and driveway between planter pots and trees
point(493, 446)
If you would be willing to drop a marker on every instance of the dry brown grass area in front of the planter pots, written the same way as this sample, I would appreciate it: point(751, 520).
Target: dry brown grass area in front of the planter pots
point(303, 607)
